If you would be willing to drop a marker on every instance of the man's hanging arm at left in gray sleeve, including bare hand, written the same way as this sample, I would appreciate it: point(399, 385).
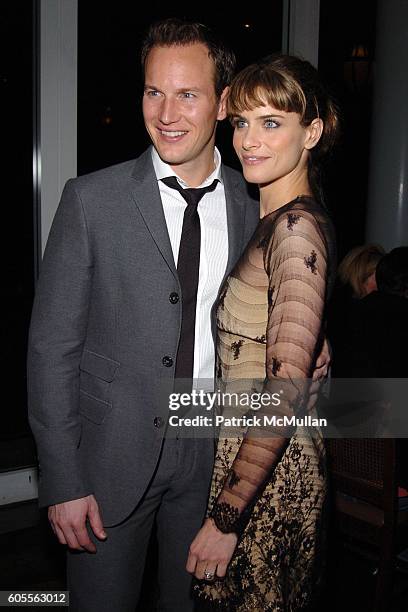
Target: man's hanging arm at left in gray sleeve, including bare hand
point(57, 334)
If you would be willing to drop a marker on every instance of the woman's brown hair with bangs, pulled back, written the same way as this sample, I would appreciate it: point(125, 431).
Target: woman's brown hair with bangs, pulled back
point(290, 84)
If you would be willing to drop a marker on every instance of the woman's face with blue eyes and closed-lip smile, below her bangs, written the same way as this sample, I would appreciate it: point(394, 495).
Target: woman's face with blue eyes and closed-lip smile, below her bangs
point(272, 144)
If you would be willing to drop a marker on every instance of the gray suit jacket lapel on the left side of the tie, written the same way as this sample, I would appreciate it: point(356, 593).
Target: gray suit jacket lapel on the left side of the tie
point(146, 194)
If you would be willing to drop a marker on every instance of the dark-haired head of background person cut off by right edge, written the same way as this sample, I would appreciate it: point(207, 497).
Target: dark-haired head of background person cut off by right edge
point(392, 272)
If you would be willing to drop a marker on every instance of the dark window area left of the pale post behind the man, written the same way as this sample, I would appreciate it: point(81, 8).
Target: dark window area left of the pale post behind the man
point(17, 212)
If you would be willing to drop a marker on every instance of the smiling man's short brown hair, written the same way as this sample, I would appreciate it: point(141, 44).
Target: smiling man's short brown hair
point(177, 32)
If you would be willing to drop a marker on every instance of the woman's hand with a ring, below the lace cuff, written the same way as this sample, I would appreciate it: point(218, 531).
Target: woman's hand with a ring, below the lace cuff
point(211, 552)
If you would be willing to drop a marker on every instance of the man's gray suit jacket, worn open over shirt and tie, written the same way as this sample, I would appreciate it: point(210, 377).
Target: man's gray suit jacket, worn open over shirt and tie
point(102, 322)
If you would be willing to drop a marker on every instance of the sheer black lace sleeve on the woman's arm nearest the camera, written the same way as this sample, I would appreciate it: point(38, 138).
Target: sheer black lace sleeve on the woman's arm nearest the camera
point(295, 261)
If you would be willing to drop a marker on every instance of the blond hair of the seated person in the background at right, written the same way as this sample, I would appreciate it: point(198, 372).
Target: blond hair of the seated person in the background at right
point(358, 265)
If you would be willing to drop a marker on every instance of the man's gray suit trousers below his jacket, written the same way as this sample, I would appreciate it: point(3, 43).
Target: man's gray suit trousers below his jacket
point(176, 498)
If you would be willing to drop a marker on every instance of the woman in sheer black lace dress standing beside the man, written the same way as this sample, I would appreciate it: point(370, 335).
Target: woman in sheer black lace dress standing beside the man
point(264, 526)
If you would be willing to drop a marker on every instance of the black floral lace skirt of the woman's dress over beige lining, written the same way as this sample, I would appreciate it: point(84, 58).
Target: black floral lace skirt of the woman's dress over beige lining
point(277, 563)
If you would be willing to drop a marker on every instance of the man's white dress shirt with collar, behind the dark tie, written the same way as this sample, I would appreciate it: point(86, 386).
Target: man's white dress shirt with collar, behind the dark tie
point(213, 252)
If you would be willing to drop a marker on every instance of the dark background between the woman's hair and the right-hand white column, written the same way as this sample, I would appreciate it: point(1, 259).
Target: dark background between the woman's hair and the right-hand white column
point(344, 26)
